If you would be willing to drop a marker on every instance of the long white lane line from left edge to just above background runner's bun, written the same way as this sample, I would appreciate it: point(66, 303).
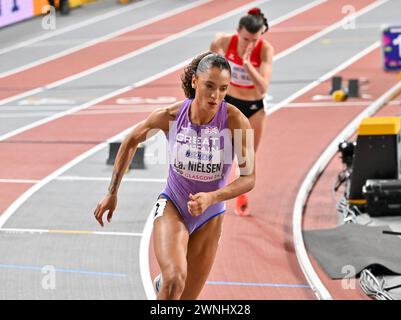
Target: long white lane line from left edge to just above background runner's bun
point(132, 54)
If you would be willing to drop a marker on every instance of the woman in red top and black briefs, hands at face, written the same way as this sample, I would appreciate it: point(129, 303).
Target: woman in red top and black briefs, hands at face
point(250, 57)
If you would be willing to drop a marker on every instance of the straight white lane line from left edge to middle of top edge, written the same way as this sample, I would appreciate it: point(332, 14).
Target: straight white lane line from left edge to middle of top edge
point(106, 37)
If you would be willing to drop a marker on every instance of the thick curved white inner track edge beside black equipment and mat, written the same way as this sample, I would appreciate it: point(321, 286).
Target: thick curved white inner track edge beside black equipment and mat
point(317, 285)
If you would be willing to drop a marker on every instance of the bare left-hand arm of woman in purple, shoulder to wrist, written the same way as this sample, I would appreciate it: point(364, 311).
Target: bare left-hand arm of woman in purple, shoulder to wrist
point(158, 119)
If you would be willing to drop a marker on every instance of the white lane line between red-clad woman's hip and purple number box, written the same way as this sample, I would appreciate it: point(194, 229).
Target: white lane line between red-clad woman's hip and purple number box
point(326, 76)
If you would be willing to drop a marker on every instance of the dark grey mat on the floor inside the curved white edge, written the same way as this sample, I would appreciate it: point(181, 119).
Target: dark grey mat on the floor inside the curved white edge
point(343, 252)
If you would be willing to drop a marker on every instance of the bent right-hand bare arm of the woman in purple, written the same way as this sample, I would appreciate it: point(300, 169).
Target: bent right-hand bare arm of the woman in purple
point(244, 148)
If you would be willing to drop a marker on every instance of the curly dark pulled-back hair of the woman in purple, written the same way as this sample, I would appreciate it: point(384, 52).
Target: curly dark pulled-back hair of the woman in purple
point(199, 64)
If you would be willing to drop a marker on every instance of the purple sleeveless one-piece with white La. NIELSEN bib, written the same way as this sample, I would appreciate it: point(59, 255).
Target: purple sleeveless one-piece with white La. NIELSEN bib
point(200, 159)
